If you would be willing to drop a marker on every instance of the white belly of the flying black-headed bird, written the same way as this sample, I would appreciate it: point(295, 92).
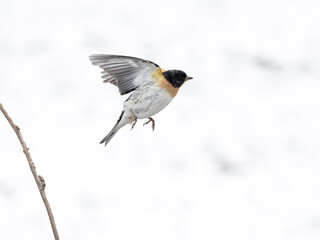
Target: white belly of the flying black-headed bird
point(147, 101)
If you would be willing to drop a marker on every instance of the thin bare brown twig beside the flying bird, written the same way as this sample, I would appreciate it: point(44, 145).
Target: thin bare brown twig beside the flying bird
point(39, 179)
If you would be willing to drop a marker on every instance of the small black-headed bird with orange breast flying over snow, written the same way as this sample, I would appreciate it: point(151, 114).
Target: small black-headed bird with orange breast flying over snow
point(151, 87)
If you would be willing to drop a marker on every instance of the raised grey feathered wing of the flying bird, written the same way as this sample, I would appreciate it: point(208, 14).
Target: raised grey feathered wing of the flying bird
point(125, 72)
